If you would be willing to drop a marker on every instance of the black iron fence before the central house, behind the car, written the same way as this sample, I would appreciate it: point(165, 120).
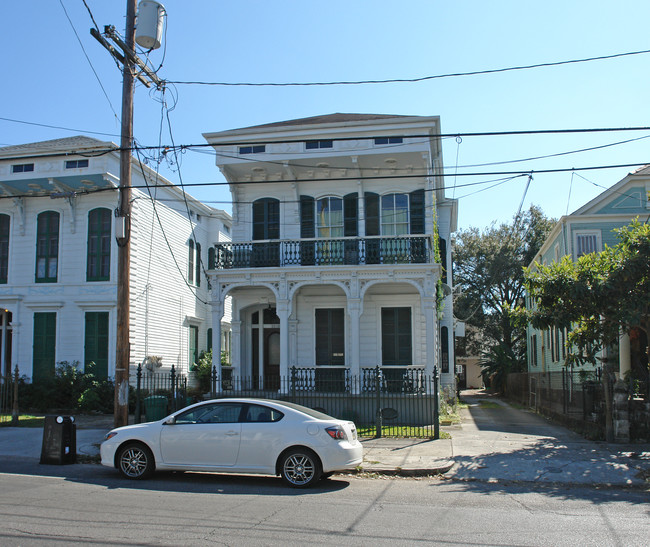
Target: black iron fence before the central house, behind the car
point(381, 402)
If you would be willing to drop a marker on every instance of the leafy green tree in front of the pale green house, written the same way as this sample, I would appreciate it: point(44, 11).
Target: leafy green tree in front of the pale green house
point(596, 298)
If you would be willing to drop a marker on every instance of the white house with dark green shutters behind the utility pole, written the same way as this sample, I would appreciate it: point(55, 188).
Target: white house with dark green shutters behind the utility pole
point(58, 261)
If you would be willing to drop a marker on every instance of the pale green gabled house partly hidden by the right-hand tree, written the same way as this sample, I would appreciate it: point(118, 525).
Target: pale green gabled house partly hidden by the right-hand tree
point(588, 230)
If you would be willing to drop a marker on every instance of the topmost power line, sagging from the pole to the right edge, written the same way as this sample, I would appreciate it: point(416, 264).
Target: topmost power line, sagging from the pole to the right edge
point(413, 80)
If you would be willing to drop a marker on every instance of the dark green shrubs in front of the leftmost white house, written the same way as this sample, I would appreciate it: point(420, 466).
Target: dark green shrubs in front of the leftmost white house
point(68, 389)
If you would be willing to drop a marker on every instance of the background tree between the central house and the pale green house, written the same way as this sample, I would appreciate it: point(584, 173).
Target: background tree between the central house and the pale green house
point(489, 270)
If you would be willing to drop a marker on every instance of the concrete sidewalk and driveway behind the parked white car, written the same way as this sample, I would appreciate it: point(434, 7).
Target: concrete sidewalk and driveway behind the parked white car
point(495, 442)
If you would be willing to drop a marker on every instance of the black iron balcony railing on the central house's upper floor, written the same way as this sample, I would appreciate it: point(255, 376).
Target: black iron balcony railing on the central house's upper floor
point(322, 252)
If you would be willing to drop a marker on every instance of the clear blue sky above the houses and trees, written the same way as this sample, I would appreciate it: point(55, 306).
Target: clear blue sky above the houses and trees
point(48, 80)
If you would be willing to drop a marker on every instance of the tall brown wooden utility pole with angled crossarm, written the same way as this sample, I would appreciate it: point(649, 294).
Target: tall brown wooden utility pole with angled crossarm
point(129, 61)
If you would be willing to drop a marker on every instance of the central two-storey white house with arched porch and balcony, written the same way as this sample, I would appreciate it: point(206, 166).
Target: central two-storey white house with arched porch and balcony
point(332, 267)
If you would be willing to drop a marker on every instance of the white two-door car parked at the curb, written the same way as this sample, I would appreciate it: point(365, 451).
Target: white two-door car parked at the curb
point(237, 436)
